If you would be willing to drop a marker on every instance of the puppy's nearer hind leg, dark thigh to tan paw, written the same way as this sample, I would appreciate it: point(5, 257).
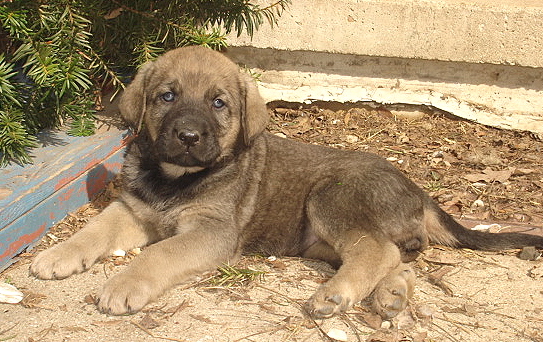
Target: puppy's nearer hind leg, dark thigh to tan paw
point(337, 217)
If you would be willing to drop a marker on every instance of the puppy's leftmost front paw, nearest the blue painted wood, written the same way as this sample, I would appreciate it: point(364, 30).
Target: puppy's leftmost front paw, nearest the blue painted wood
point(62, 260)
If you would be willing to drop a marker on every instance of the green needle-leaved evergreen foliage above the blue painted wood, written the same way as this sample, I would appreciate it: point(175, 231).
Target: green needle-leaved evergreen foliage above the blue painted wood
point(57, 55)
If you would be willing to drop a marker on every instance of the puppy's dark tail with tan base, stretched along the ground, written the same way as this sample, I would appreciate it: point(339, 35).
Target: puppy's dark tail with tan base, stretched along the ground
point(443, 229)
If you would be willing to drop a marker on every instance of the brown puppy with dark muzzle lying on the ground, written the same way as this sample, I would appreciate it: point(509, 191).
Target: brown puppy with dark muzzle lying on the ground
point(203, 183)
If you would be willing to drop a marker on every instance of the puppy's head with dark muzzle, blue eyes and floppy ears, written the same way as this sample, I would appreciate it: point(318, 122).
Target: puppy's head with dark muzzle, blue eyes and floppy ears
point(195, 106)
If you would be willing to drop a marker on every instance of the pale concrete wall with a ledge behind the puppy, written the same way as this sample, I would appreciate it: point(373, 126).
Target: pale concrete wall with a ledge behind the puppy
point(477, 60)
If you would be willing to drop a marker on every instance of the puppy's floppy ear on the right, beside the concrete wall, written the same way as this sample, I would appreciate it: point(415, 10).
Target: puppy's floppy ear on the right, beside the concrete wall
point(254, 115)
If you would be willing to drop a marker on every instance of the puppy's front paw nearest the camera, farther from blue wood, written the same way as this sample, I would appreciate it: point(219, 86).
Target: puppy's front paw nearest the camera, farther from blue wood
point(125, 294)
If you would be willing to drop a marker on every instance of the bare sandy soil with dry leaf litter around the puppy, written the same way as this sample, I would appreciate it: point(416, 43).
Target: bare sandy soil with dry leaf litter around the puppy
point(480, 175)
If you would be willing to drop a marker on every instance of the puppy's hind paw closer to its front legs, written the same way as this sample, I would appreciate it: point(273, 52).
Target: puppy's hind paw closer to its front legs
point(328, 301)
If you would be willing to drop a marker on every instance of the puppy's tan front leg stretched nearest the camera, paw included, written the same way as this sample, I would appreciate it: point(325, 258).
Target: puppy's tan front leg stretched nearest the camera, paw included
point(165, 264)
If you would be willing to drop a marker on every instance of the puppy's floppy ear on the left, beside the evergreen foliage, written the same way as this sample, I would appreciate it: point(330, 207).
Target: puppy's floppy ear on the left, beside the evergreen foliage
point(132, 103)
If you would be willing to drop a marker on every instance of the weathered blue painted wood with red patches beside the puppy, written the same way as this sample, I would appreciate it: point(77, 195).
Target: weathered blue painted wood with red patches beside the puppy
point(67, 172)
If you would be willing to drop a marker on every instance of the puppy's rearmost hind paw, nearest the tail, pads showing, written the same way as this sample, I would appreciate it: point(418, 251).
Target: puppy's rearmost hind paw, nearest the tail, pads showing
point(392, 294)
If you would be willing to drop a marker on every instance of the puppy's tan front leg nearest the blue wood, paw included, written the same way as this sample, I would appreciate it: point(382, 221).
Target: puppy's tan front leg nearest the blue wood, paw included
point(114, 228)
